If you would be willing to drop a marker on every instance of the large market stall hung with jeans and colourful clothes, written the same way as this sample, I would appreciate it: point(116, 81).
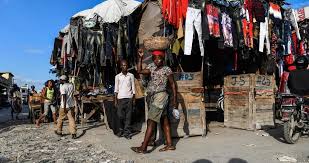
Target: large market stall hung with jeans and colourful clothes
point(209, 40)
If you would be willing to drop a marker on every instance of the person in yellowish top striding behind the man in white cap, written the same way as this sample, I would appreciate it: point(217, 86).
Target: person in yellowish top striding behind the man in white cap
point(48, 94)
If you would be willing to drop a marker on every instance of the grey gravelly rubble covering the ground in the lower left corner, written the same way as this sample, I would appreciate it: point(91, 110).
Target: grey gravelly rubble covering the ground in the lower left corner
point(25, 143)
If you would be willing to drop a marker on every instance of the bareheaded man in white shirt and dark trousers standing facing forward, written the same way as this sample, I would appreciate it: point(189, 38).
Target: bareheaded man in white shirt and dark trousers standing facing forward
point(124, 99)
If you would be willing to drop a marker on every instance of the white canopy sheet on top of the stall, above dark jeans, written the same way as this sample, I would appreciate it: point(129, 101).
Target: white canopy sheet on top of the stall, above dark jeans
point(111, 11)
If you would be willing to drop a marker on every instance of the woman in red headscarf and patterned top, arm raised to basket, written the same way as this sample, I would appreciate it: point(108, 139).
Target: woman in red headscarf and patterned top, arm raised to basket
point(157, 98)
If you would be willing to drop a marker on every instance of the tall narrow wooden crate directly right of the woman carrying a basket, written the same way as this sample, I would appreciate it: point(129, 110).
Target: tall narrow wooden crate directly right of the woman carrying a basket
point(191, 106)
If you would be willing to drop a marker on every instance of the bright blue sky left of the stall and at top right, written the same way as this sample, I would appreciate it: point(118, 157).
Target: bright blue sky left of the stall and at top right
point(28, 29)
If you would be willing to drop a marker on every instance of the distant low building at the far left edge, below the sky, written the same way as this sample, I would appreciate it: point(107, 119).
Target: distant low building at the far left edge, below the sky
point(6, 82)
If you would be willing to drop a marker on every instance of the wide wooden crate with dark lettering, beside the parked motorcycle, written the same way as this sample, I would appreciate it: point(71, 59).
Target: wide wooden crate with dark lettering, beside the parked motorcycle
point(249, 101)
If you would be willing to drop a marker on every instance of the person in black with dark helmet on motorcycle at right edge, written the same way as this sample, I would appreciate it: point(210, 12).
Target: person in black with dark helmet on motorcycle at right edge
point(298, 79)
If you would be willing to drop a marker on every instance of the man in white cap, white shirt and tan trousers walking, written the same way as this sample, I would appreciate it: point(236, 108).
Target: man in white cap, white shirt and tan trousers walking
point(66, 107)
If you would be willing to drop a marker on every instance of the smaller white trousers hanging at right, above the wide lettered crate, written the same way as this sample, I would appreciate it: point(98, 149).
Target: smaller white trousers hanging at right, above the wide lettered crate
point(264, 35)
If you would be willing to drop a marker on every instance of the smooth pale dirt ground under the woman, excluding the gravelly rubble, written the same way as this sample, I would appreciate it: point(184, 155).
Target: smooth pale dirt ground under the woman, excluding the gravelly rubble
point(222, 145)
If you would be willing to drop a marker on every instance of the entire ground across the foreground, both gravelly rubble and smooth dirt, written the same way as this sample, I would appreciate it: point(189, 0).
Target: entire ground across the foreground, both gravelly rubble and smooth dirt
point(22, 142)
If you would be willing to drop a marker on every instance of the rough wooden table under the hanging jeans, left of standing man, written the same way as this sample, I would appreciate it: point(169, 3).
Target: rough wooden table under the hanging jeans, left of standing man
point(97, 101)
